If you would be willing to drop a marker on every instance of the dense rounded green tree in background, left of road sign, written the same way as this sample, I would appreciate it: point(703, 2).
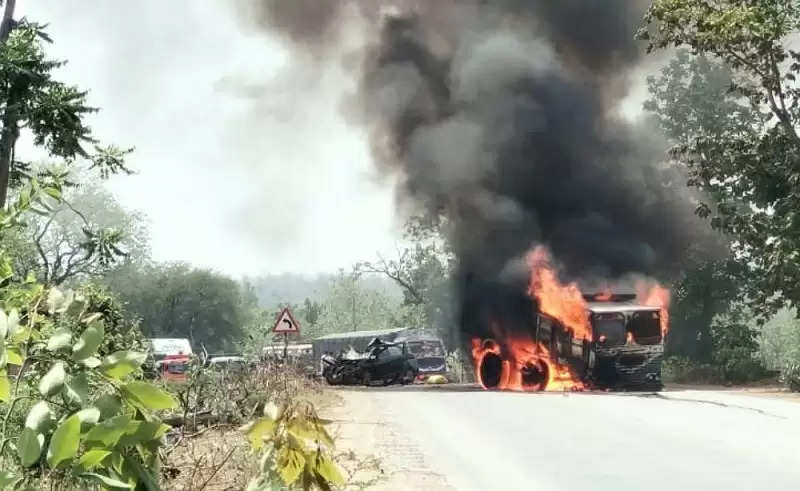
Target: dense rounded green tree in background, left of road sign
point(175, 300)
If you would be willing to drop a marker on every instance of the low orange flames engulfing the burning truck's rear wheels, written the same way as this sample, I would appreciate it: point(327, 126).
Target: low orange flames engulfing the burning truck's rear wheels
point(526, 366)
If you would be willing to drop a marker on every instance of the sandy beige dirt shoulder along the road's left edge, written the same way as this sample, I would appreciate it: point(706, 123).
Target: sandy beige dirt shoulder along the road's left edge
point(374, 450)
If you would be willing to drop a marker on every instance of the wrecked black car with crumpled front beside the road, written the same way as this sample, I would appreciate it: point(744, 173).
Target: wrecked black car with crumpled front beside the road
point(383, 363)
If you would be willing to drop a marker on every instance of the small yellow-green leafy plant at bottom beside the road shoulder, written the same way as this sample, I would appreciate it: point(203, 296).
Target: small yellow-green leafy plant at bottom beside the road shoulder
point(295, 449)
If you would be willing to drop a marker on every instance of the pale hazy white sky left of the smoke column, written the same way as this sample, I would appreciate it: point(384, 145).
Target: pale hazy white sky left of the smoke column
point(242, 167)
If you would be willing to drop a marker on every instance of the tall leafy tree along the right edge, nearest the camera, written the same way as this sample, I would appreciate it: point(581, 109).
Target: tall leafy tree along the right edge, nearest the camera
point(747, 156)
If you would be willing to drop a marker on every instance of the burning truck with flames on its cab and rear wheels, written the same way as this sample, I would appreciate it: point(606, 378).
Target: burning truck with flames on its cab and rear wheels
point(575, 341)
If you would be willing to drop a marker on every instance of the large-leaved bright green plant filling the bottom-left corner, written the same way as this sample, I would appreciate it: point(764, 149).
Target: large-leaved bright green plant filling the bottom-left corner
point(88, 418)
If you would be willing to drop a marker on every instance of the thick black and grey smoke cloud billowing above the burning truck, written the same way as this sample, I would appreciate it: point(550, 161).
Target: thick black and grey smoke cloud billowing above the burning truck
point(501, 116)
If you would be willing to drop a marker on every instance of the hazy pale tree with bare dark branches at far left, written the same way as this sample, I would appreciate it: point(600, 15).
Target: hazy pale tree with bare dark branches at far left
point(63, 238)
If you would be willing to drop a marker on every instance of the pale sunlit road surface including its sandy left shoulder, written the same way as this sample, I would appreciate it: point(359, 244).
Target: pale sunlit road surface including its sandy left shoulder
point(441, 438)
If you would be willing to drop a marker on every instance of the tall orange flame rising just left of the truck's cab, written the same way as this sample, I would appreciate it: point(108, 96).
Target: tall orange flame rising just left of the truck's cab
point(564, 302)
